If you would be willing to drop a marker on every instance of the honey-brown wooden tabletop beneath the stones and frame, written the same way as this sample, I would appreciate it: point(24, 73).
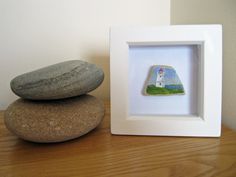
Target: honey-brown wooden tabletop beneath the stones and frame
point(101, 154)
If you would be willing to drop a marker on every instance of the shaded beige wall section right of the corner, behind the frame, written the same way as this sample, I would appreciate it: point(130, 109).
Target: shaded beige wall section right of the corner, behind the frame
point(218, 12)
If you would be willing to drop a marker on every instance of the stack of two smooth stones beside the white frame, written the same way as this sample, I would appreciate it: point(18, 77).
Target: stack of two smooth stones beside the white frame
point(54, 104)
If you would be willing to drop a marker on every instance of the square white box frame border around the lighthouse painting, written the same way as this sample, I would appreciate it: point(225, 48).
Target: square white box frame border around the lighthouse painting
point(208, 122)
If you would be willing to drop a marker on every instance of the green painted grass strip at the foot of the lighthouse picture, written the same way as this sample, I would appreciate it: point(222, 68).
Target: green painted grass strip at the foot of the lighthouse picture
point(153, 90)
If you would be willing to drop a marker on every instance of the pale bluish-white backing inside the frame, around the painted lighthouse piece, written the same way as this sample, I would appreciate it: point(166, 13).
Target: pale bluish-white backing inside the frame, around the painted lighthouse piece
point(184, 59)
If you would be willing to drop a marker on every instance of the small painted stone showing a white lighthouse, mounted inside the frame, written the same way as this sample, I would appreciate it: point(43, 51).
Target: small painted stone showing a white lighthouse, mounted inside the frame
point(163, 80)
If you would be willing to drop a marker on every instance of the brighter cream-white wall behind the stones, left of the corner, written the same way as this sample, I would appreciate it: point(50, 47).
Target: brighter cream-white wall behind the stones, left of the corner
point(37, 33)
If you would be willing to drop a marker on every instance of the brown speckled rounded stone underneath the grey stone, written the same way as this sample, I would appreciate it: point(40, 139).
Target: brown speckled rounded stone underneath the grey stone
point(54, 121)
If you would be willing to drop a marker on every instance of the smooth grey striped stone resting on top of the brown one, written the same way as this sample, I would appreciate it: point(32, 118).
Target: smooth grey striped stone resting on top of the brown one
point(62, 80)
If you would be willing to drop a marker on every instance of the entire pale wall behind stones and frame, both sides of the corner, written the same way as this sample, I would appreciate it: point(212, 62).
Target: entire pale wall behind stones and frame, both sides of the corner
point(37, 33)
